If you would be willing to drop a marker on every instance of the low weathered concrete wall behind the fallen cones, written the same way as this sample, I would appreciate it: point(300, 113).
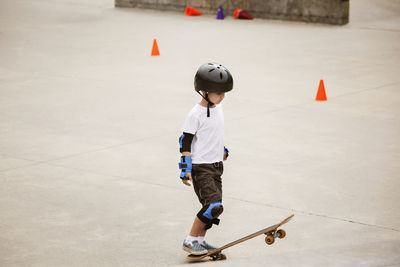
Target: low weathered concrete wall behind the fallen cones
point(326, 11)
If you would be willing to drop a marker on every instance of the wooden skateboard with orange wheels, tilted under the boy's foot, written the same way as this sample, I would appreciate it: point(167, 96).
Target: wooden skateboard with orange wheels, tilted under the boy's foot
point(271, 233)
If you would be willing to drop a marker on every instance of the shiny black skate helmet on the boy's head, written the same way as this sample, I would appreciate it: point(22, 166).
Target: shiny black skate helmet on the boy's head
point(213, 78)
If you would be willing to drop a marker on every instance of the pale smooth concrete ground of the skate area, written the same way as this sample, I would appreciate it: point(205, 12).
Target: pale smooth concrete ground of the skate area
point(89, 127)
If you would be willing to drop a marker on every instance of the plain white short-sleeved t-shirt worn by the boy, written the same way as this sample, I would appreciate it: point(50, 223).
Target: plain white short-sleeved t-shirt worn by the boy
point(208, 140)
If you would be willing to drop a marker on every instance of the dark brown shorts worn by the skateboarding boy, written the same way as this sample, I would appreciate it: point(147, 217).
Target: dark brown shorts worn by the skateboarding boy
point(207, 182)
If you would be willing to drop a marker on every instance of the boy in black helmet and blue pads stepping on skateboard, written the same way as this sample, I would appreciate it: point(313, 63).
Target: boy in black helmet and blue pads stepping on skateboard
point(202, 148)
